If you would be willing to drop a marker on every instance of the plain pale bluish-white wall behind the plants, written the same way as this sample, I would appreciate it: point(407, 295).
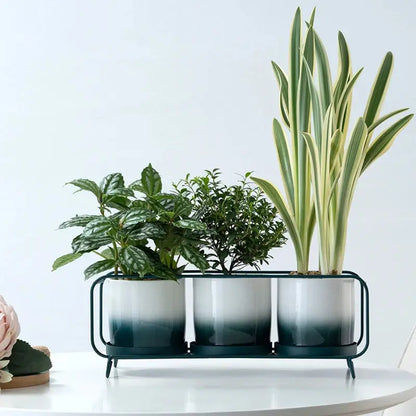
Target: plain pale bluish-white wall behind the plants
point(93, 87)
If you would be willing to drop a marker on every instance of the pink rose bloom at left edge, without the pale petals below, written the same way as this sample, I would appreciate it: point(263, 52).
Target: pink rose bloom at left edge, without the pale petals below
point(9, 328)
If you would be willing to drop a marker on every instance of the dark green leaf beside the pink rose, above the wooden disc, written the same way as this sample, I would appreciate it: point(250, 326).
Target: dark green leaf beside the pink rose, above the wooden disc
point(25, 360)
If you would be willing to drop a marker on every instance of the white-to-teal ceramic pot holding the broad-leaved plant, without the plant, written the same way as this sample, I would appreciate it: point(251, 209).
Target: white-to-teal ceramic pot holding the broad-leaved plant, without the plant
point(146, 313)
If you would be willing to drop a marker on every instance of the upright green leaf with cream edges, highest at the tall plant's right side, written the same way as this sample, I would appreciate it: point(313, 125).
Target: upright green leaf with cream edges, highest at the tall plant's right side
point(379, 89)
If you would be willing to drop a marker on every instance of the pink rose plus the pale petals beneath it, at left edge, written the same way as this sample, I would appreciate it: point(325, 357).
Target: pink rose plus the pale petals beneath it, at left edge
point(9, 331)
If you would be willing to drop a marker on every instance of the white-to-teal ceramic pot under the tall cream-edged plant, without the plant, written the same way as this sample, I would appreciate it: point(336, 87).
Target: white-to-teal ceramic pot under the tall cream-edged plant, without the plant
point(316, 312)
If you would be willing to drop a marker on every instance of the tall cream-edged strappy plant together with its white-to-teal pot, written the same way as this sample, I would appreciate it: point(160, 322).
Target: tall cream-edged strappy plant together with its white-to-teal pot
point(320, 170)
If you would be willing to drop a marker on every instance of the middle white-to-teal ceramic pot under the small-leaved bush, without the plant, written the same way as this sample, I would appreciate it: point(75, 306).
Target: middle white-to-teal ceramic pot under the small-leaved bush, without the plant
point(232, 311)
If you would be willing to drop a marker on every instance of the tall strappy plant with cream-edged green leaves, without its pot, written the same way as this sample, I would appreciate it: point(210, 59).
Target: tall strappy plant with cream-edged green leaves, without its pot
point(321, 168)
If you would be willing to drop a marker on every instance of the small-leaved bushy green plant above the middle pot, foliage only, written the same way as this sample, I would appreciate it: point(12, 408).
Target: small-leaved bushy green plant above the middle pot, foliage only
point(241, 224)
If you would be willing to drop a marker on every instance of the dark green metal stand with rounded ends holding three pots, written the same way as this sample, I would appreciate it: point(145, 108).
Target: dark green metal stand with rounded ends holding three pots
point(347, 352)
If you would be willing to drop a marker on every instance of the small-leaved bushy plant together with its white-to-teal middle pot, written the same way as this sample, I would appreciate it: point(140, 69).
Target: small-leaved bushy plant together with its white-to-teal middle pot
point(232, 313)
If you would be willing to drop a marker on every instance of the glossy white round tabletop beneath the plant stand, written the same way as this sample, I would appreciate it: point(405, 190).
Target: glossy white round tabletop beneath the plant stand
point(210, 387)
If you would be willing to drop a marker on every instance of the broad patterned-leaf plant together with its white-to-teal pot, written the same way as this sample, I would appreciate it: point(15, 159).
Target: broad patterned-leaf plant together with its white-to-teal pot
point(141, 239)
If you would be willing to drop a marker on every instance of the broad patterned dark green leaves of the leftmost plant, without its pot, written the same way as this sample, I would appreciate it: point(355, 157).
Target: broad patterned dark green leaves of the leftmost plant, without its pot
point(136, 235)
